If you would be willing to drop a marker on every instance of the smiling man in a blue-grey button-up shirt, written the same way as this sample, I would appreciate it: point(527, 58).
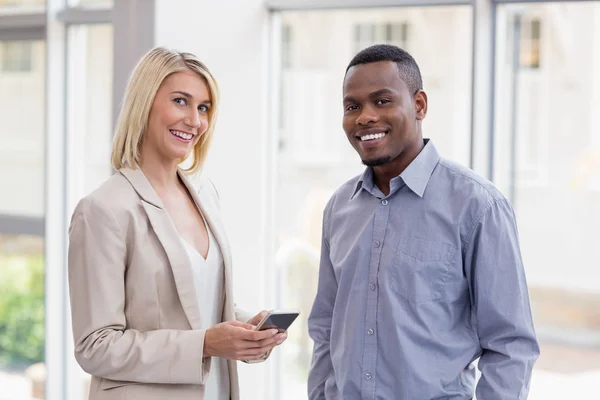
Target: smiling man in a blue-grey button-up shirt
point(421, 271)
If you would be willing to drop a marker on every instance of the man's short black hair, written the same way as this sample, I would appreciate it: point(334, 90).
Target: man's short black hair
point(409, 70)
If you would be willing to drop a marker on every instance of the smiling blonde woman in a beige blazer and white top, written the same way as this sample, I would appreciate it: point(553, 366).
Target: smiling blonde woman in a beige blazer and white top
point(149, 263)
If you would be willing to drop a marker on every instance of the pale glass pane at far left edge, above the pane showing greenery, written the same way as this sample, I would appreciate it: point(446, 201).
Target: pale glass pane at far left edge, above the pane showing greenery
point(22, 98)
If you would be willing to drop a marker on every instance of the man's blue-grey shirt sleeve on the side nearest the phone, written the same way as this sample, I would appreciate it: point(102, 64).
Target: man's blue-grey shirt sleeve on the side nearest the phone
point(321, 379)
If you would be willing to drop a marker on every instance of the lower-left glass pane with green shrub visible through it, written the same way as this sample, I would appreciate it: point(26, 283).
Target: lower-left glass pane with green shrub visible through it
point(22, 332)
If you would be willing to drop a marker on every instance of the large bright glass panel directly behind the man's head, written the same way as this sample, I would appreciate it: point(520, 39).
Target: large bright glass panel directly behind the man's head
point(314, 155)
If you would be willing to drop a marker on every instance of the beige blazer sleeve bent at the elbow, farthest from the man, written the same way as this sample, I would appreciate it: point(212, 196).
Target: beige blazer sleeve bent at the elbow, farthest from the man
point(104, 346)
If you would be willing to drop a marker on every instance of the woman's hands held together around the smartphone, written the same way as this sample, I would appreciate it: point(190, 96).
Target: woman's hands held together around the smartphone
point(238, 341)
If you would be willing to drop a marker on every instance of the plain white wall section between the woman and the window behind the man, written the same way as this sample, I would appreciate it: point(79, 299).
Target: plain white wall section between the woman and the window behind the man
point(231, 38)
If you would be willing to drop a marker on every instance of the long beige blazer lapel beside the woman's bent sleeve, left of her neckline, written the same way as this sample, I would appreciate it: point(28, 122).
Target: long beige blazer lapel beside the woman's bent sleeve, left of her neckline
point(169, 238)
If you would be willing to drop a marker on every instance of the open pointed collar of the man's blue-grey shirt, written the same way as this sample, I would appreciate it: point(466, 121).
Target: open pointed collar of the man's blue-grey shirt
point(416, 176)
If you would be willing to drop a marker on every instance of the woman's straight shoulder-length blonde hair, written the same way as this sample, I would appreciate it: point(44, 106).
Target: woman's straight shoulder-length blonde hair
point(141, 89)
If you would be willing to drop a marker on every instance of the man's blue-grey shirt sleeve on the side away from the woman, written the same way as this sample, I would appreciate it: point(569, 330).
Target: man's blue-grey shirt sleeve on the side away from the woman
point(501, 304)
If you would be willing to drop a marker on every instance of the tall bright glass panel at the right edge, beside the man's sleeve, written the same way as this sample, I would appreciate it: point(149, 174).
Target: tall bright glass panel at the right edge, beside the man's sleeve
point(548, 161)
